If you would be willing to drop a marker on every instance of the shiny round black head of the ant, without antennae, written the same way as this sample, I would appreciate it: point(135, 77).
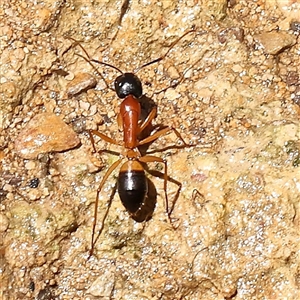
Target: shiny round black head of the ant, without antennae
point(128, 84)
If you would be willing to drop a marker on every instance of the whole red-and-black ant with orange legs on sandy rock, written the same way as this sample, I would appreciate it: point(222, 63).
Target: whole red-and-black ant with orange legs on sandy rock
point(132, 183)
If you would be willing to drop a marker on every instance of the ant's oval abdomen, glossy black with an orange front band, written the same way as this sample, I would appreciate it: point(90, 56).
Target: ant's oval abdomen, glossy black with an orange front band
point(132, 186)
